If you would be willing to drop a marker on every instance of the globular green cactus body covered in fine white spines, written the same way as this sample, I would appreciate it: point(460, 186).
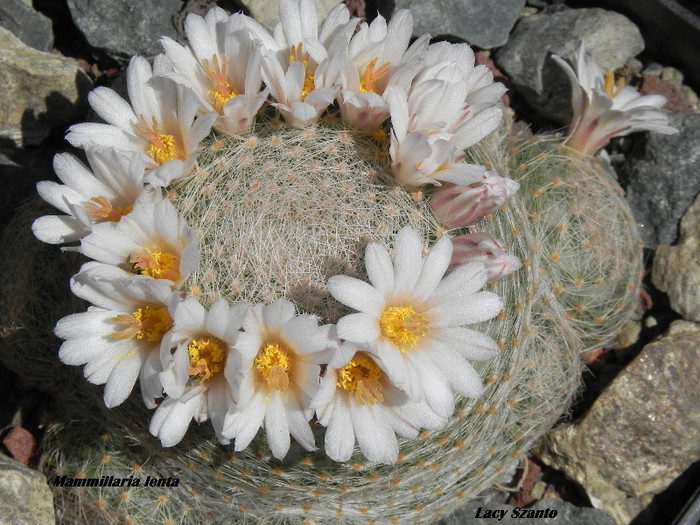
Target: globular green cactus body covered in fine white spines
point(569, 226)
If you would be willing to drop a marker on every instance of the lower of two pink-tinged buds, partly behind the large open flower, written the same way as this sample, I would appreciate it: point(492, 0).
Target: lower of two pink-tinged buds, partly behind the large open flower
point(481, 247)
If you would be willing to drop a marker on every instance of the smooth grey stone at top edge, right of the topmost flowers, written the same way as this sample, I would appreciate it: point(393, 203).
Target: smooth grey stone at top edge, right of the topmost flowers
point(483, 23)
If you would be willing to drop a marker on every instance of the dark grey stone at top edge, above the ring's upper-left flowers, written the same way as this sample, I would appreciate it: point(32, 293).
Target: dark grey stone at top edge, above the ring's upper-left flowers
point(123, 28)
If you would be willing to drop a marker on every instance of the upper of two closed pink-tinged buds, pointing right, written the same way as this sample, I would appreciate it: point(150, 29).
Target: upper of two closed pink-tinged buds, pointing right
point(458, 206)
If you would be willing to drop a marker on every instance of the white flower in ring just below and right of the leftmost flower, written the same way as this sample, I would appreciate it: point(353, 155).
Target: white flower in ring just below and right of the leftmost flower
point(153, 240)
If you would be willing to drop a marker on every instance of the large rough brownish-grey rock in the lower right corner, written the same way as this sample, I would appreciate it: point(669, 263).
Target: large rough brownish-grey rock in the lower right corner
point(641, 433)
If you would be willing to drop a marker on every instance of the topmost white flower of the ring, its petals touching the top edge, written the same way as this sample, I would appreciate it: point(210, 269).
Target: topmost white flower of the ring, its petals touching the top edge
point(290, 69)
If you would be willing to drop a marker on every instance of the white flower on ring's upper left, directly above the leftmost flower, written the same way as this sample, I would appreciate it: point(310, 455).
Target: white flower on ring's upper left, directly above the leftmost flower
point(159, 123)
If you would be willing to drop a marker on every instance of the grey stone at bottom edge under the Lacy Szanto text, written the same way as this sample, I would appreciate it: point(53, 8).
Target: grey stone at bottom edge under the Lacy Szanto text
point(547, 511)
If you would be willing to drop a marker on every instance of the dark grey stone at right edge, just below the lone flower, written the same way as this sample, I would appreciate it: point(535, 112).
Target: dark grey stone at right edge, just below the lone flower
point(664, 178)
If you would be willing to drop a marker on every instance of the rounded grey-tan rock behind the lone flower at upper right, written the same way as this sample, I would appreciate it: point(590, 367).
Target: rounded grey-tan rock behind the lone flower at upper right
point(610, 38)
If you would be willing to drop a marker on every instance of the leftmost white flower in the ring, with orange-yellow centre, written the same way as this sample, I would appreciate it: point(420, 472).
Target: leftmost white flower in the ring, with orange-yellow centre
point(106, 193)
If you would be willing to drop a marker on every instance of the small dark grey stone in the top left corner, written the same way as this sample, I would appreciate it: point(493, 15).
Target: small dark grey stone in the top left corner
point(32, 28)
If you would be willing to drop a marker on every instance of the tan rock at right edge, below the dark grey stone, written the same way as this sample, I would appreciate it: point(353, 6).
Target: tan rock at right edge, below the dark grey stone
point(677, 268)
